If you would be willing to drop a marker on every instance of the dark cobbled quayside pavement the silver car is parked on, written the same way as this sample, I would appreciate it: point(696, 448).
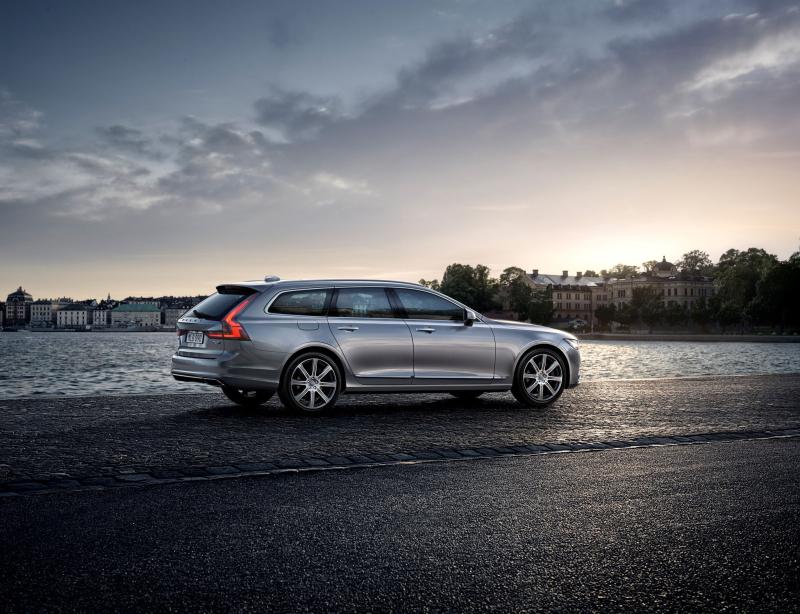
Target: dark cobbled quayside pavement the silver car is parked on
point(40, 438)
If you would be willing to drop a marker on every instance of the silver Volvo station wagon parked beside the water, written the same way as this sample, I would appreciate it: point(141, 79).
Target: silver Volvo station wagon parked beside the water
point(311, 341)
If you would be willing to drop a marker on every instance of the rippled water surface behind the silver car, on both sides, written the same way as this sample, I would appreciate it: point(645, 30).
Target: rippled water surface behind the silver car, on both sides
point(78, 364)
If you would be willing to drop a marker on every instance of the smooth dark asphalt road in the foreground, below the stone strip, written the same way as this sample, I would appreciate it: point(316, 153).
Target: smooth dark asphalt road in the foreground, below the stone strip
point(713, 526)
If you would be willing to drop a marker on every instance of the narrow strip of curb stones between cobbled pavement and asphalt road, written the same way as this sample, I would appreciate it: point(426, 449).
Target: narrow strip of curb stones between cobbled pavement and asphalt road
point(128, 478)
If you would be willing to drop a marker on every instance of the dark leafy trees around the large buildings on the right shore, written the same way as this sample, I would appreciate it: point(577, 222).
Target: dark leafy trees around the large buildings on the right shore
point(752, 288)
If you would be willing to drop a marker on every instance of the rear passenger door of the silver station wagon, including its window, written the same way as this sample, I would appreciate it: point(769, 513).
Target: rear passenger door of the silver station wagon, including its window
point(375, 342)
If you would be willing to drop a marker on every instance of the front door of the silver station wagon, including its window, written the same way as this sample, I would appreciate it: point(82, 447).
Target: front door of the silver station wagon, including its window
point(445, 347)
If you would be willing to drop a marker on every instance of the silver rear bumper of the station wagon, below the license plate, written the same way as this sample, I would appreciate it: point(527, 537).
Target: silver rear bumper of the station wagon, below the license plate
point(224, 370)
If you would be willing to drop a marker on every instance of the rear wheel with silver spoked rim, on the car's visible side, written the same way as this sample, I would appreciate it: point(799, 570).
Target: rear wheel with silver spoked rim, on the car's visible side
point(311, 383)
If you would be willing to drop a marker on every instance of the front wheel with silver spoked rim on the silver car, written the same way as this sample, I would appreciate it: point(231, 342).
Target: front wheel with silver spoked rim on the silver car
point(536, 377)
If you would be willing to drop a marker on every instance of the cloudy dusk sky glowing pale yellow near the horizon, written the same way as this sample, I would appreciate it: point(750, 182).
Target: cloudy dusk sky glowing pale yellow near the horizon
point(163, 147)
